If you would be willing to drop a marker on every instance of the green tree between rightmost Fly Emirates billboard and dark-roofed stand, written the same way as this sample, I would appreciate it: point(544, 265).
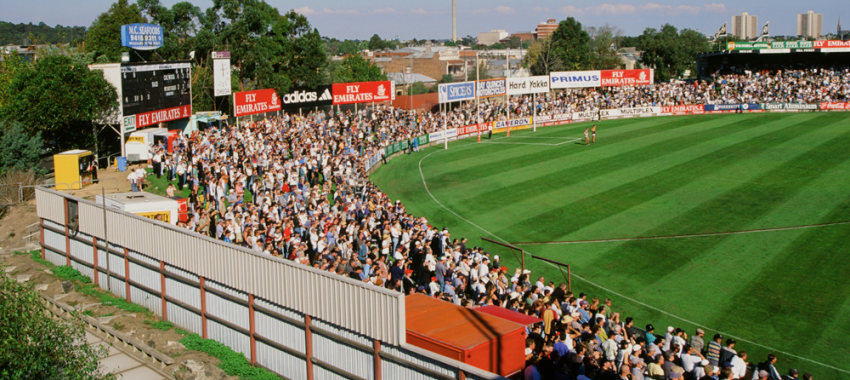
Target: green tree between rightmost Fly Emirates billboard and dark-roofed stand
point(670, 52)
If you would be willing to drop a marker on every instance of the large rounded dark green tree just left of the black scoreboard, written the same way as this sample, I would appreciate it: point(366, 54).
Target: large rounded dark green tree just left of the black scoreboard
point(59, 99)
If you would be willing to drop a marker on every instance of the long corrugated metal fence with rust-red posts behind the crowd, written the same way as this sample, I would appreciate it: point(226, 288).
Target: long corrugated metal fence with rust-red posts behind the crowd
point(297, 321)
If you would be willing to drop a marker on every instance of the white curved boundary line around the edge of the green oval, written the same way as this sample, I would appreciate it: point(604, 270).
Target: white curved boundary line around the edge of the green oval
point(425, 184)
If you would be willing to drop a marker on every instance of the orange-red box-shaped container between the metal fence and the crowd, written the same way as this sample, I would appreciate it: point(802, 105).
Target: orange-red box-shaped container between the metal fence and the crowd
point(481, 340)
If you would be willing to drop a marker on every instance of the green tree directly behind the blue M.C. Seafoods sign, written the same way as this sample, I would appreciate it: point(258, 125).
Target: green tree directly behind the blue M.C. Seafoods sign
point(104, 35)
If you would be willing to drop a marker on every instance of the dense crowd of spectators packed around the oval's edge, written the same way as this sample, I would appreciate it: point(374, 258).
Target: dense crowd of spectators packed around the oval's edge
point(296, 187)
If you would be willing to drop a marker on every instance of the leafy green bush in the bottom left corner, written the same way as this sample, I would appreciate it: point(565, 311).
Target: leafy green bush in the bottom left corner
point(36, 346)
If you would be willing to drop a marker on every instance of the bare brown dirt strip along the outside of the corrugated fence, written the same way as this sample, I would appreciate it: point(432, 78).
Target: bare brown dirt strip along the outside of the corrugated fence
point(187, 364)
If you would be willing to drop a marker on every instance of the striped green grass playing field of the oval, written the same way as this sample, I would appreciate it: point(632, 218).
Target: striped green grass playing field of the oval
point(785, 292)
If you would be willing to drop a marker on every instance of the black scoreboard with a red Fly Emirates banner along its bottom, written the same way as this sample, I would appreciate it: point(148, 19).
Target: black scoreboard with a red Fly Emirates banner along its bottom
point(155, 92)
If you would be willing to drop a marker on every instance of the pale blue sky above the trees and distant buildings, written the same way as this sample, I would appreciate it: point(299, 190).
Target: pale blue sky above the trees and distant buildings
point(346, 19)
